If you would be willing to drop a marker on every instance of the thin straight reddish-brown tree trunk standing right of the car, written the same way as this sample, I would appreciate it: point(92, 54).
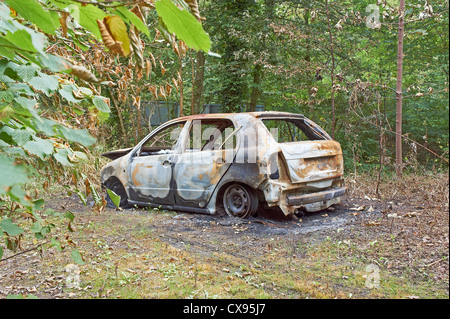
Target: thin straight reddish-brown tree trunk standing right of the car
point(399, 94)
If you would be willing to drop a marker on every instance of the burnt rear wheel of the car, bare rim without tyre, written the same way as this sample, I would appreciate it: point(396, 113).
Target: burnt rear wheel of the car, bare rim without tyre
point(240, 201)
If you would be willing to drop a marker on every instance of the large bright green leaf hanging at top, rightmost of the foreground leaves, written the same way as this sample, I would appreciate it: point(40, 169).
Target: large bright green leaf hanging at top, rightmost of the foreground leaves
point(184, 25)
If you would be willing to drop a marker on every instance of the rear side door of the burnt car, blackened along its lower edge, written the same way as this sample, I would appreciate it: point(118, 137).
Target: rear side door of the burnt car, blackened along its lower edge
point(207, 154)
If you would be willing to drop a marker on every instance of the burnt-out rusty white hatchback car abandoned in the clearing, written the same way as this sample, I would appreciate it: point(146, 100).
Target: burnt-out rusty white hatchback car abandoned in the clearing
point(235, 162)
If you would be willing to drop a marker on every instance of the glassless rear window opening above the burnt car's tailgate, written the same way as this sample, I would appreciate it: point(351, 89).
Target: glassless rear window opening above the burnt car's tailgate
point(294, 130)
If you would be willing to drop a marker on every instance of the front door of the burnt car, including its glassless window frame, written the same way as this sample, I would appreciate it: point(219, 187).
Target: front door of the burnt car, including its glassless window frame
point(150, 171)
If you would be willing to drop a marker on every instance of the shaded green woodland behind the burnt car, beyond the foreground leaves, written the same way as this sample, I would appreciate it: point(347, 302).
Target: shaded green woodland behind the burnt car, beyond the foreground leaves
point(289, 56)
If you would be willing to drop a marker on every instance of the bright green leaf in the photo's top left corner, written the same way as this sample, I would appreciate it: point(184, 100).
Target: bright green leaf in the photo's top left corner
point(33, 11)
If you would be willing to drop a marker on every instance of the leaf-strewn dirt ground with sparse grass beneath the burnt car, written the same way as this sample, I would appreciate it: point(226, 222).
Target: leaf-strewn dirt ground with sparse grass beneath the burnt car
point(405, 234)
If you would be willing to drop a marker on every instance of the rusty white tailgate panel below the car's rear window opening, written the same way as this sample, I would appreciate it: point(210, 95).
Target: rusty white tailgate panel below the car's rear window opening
point(309, 161)
